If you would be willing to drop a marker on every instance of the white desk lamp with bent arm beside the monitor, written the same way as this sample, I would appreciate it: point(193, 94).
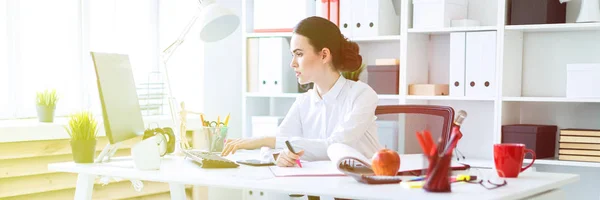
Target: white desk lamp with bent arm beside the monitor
point(215, 23)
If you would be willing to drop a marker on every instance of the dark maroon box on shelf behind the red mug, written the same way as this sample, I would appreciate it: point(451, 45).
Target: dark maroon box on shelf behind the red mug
point(539, 138)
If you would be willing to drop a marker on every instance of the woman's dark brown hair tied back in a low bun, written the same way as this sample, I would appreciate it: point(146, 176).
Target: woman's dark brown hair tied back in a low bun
point(322, 33)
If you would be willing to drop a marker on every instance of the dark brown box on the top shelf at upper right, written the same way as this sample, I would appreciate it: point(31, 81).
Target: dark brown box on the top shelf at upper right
point(536, 12)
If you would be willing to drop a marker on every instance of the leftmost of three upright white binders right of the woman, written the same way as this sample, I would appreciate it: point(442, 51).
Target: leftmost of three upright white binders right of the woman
point(457, 64)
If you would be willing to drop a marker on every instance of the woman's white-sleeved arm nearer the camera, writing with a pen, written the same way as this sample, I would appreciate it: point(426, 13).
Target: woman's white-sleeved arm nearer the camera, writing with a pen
point(353, 127)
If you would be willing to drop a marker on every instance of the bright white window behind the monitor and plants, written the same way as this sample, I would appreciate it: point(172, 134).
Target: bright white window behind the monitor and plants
point(47, 45)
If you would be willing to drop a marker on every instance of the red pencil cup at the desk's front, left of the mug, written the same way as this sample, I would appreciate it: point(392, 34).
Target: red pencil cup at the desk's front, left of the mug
point(438, 172)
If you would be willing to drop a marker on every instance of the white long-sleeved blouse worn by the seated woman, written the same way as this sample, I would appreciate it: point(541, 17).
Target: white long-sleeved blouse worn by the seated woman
point(345, 114)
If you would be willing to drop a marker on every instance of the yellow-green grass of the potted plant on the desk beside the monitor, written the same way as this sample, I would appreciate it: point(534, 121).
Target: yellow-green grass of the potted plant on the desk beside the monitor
point(82, 126)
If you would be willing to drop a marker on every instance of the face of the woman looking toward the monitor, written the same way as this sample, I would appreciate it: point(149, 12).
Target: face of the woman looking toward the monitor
point(308, 64)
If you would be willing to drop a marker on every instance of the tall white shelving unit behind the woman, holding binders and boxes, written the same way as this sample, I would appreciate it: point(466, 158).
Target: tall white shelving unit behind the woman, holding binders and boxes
point(530, 75)
